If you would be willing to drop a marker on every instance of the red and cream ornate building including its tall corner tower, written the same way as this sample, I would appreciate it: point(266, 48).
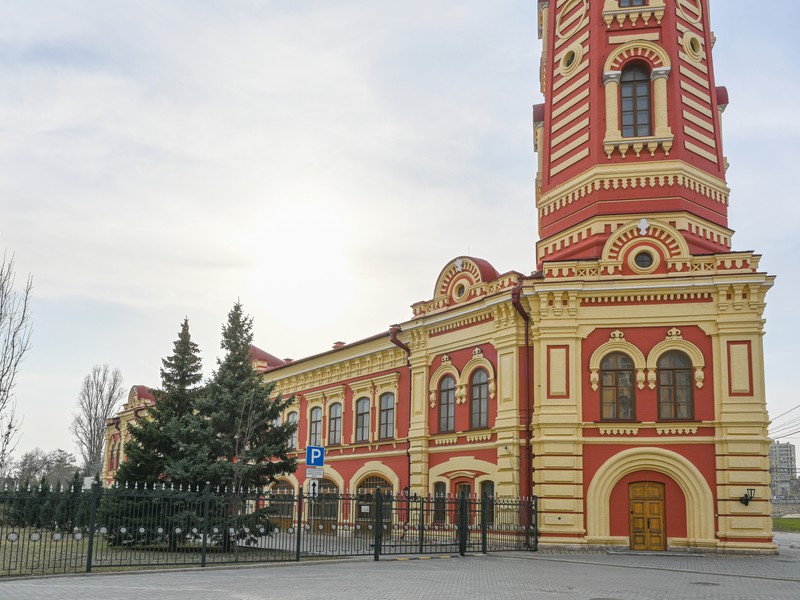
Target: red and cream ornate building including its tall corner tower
point(622, 383)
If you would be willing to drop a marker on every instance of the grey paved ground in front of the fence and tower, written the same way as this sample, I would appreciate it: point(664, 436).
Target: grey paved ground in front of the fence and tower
point(549, 575)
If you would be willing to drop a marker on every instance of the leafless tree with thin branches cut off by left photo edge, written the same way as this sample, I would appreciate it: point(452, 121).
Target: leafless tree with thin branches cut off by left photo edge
point(15, 340)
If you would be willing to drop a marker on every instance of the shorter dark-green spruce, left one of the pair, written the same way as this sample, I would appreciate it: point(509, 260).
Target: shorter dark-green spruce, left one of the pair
point(164, 440)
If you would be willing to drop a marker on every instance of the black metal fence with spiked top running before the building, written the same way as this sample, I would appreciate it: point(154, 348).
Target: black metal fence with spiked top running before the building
point(68, 531)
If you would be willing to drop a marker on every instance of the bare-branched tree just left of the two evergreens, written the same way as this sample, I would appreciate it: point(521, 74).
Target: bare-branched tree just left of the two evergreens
point(100, 394)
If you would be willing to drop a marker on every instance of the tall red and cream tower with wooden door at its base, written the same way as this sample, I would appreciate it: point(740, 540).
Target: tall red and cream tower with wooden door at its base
point(649, 410)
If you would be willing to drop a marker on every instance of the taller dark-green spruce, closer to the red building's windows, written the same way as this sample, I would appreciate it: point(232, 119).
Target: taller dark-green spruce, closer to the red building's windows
point(249, 444)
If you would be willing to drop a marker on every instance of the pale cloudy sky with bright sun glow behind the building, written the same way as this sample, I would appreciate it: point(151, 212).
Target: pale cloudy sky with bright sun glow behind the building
point(318, 160)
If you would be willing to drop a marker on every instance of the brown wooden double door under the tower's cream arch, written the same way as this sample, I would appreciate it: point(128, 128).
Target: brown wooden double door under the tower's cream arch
point(648, 522)
